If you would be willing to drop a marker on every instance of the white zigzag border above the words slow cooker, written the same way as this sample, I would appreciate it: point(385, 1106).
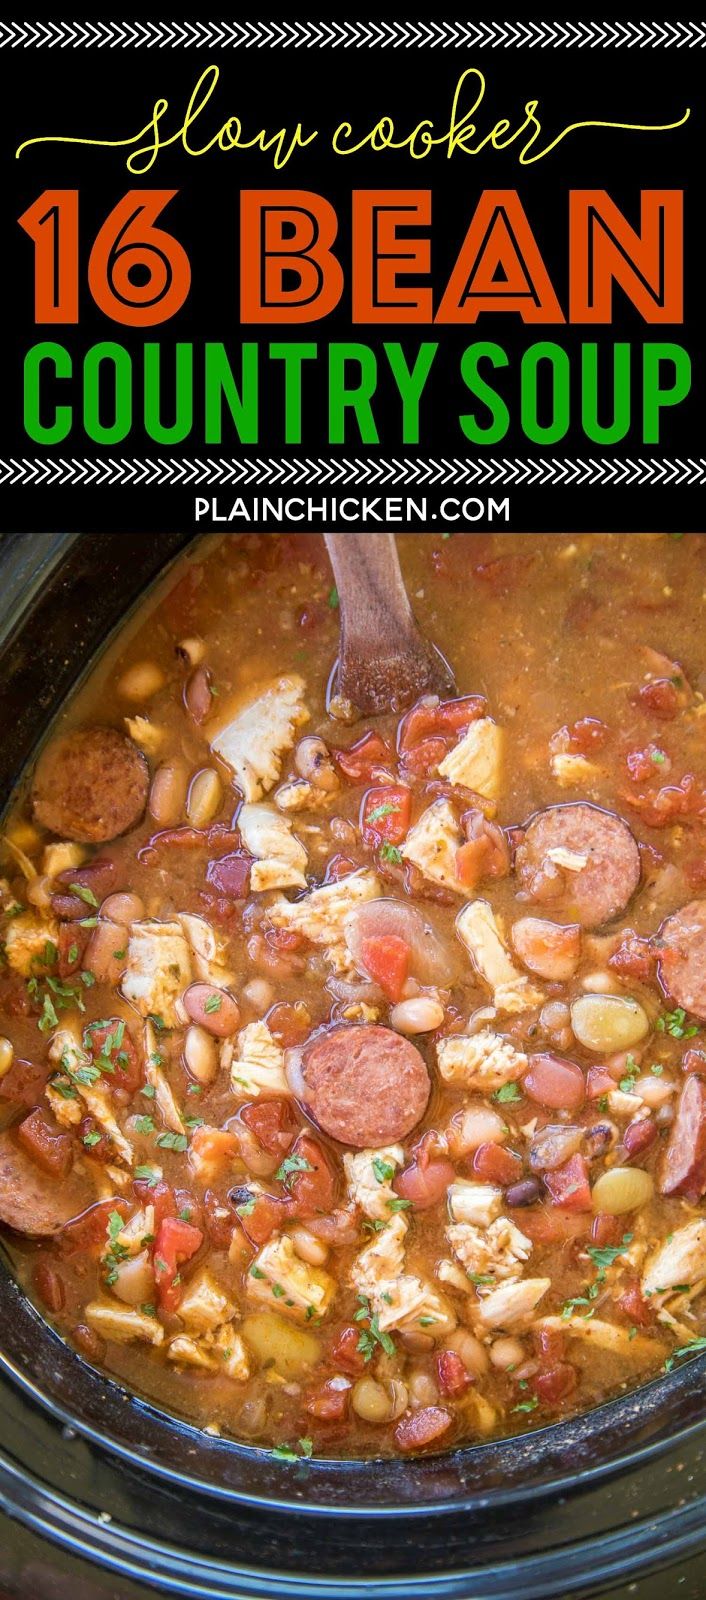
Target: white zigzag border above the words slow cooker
point(358, 36)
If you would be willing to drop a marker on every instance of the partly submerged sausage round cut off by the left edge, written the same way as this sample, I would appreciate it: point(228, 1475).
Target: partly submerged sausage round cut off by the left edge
point(31, 1202)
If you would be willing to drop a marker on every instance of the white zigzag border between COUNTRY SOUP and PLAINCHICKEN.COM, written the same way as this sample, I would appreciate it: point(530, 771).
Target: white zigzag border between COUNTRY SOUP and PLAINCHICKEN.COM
point(343, 473)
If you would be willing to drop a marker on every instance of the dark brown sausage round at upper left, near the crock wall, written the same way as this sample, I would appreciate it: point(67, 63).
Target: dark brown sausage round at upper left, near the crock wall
point(90, 785)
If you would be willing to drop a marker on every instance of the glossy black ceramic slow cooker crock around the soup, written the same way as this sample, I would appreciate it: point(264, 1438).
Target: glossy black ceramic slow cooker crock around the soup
point(105, 1497)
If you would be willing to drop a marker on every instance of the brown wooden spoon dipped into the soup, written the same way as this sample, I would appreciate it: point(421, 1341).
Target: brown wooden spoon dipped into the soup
point(385, 660)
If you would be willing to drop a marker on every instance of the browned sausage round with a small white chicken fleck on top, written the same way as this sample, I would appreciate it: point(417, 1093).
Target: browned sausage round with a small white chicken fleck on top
point(592, 894)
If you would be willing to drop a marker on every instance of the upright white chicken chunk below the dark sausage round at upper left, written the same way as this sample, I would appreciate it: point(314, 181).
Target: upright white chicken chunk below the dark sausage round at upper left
point(159, 969)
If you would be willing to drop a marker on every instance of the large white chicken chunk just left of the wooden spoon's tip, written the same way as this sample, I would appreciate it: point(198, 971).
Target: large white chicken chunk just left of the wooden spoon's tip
point(257, 738)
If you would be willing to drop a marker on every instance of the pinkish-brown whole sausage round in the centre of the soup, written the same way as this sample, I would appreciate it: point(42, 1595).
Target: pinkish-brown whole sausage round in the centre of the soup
point(366, 1086)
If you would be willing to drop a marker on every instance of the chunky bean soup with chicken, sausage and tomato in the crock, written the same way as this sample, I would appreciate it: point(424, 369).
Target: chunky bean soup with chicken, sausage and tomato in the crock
point(353, 1070)
